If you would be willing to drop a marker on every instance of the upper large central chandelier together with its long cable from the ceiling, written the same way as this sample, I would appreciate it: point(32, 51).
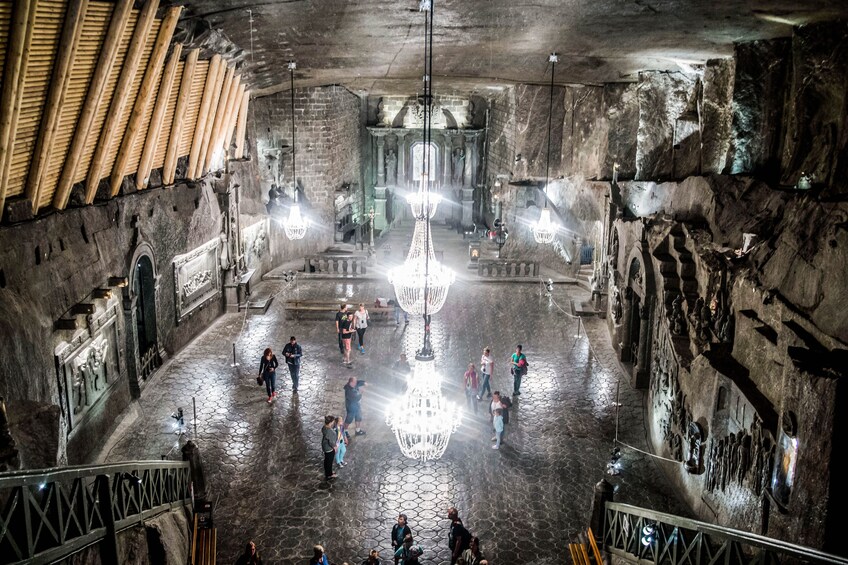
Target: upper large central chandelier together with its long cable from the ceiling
point(421, 284)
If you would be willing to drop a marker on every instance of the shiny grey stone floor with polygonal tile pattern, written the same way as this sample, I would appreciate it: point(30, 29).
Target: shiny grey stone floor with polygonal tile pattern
point(525, 502)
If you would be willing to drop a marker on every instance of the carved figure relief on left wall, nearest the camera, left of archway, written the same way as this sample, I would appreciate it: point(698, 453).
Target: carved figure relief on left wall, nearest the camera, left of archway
point(88, 367)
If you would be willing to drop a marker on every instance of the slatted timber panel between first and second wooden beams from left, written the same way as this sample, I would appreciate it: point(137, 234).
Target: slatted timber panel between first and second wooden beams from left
point(45, 38)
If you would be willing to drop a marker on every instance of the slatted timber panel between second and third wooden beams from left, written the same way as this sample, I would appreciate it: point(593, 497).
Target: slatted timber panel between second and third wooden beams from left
point(94, 26)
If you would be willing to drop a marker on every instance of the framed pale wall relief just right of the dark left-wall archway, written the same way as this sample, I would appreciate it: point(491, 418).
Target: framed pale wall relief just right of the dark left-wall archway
point(196, 278)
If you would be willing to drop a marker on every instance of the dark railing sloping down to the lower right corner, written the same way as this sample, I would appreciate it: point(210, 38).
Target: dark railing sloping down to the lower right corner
point(644, 536)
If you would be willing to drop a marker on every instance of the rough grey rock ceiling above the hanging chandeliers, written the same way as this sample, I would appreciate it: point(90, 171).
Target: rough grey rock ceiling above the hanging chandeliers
point(376, 46)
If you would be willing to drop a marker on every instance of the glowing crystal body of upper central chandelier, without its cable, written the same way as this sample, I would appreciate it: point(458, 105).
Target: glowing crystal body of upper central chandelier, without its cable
point(421, 283)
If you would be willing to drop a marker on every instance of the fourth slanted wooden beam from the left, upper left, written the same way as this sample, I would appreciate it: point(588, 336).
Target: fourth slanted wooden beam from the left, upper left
point(120, 98)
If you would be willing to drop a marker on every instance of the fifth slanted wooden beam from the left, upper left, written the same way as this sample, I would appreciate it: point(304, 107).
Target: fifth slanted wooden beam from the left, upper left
point(145, 94)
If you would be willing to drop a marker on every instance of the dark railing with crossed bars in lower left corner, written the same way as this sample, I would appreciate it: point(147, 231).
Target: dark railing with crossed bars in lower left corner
point(49, 514)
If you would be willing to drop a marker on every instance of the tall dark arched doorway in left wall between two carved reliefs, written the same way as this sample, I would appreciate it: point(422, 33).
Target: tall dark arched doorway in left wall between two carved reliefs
point(141, 318)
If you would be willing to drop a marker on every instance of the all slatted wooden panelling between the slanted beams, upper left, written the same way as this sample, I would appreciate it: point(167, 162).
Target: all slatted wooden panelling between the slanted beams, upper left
point(47, 31)
